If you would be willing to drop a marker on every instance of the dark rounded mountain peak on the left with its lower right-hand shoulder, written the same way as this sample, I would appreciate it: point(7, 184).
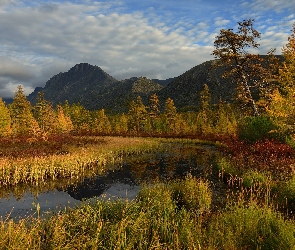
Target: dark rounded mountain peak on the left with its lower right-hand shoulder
point(95, 89)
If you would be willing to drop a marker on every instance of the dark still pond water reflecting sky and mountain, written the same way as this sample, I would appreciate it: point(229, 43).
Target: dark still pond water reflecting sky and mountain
point(123, 182)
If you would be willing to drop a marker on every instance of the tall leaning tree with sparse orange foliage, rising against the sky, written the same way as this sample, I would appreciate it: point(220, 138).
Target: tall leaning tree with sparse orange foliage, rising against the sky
point(252, 73)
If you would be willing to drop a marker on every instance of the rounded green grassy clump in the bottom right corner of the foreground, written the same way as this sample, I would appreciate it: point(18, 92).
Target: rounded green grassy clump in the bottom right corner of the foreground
point(251, 227)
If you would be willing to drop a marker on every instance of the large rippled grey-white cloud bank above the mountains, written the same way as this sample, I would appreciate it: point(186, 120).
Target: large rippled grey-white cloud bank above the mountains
point(54, 38)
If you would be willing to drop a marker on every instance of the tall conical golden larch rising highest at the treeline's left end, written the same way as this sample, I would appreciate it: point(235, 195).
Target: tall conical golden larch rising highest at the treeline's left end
point(23, 122)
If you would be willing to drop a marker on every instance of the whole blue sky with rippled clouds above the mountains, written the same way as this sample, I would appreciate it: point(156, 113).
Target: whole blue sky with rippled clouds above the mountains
point(126, 38)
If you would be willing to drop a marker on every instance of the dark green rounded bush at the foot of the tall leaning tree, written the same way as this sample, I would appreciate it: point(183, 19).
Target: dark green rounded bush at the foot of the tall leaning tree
point(257, 128)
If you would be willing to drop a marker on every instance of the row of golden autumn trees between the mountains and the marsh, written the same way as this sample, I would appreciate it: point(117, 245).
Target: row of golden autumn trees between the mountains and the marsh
point(41, 120)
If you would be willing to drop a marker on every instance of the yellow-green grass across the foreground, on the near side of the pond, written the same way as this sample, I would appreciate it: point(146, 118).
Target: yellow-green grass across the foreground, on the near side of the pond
point(154, 221)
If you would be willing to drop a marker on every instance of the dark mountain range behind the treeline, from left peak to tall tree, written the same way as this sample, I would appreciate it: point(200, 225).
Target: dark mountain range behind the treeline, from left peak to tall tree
point(95, 89)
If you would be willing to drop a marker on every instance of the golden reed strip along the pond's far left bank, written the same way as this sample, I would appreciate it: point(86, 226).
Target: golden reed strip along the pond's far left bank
point(76, 161)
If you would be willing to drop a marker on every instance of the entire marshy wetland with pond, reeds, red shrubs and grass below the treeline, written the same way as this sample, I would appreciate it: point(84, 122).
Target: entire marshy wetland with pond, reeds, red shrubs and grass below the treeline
point(100, 192)
